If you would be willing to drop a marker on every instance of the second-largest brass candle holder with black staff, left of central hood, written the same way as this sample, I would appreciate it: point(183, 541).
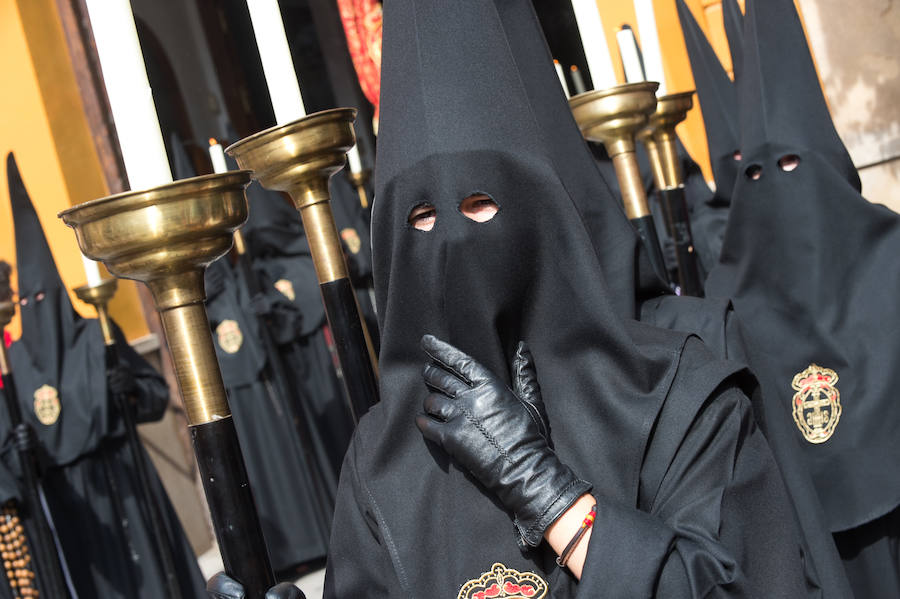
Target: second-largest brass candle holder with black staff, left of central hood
point(299, 158)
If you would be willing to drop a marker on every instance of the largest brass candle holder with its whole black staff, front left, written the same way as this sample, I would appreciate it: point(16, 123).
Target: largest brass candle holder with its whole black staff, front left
point(165, 237)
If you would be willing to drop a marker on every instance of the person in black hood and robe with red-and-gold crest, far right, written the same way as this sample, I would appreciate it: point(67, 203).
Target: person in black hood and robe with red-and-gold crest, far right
point(812, 267)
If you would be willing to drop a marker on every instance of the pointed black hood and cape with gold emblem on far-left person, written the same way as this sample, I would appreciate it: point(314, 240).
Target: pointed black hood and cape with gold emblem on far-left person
point(58, 362)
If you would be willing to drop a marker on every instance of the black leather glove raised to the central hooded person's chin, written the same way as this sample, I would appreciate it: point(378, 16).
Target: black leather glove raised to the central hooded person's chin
point(501, 436)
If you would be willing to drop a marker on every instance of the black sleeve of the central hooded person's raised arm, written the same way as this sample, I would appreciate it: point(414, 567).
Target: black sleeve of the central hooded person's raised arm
point(718, 522)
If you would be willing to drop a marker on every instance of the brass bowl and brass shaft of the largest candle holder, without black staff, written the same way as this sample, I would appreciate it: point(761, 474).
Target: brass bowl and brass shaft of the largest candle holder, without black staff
point(165, 237)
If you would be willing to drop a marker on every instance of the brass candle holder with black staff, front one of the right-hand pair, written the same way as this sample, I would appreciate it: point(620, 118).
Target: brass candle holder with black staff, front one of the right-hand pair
point(614, 117)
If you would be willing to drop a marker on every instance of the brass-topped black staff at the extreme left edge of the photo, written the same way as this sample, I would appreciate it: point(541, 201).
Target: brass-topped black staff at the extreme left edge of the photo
point(47, 553)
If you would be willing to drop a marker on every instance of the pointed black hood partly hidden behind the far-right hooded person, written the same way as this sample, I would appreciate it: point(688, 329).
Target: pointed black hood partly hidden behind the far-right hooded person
point(718, 103)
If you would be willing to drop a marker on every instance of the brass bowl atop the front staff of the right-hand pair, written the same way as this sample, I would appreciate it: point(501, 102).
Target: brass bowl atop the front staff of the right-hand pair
point(613, 116)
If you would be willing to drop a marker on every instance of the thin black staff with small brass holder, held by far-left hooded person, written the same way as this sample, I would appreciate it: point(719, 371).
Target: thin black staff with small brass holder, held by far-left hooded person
point(98, 296)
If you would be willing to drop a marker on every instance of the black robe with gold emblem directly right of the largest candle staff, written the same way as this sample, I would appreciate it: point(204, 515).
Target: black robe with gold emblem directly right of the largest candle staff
point(294, 519)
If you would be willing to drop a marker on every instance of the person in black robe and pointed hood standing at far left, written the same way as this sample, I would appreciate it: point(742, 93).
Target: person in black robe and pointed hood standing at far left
point(62, 385)
